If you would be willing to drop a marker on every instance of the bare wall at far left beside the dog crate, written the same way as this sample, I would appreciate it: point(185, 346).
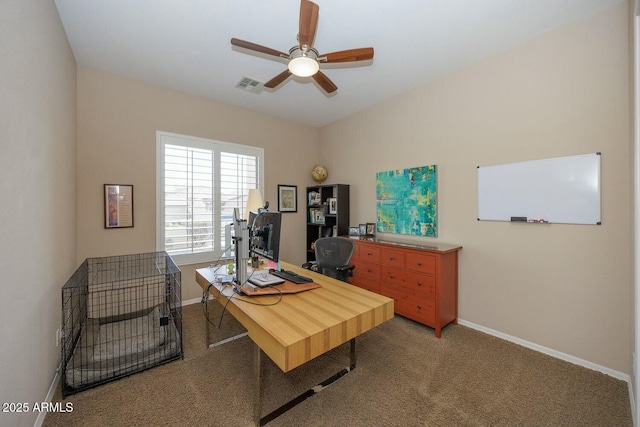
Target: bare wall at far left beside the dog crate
point(38, 187)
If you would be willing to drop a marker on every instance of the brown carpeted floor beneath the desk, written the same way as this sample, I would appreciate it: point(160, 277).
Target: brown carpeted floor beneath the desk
point(404, 377)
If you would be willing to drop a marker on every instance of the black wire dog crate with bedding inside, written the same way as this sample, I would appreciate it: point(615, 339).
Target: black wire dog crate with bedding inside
point(120, 315)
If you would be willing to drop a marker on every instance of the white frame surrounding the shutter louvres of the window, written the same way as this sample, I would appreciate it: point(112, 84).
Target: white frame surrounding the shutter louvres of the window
point(162, 139)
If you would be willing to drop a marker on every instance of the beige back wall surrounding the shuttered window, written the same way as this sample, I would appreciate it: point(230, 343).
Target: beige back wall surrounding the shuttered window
point(117, 123)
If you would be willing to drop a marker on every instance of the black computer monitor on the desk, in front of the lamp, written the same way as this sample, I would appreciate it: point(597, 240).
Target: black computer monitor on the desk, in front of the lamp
point(265, 234)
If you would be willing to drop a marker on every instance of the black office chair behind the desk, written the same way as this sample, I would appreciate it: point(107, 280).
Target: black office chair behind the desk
point(332, 257)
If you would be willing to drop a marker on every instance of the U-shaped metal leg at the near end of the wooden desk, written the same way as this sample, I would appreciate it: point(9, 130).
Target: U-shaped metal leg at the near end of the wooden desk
point(316, 389)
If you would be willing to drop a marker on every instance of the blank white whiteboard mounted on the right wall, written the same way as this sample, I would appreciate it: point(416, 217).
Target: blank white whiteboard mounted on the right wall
point(560, 190)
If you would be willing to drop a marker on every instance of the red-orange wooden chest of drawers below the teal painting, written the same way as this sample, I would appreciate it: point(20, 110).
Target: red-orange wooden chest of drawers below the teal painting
point(422, 280)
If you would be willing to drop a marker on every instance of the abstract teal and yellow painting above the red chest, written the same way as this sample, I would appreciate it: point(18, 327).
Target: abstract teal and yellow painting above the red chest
point(406, 201)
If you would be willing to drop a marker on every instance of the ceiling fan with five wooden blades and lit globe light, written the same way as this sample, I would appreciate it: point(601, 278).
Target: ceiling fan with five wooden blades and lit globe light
point(304, 60)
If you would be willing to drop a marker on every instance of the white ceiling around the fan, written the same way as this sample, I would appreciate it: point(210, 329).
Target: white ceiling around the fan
point(184, 44)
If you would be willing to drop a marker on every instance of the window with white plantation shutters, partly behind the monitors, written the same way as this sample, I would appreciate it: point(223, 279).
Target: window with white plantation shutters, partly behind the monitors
point(199, 183)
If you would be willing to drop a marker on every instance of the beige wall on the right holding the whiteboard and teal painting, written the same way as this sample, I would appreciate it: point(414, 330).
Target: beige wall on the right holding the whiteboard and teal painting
point(565, 287)
